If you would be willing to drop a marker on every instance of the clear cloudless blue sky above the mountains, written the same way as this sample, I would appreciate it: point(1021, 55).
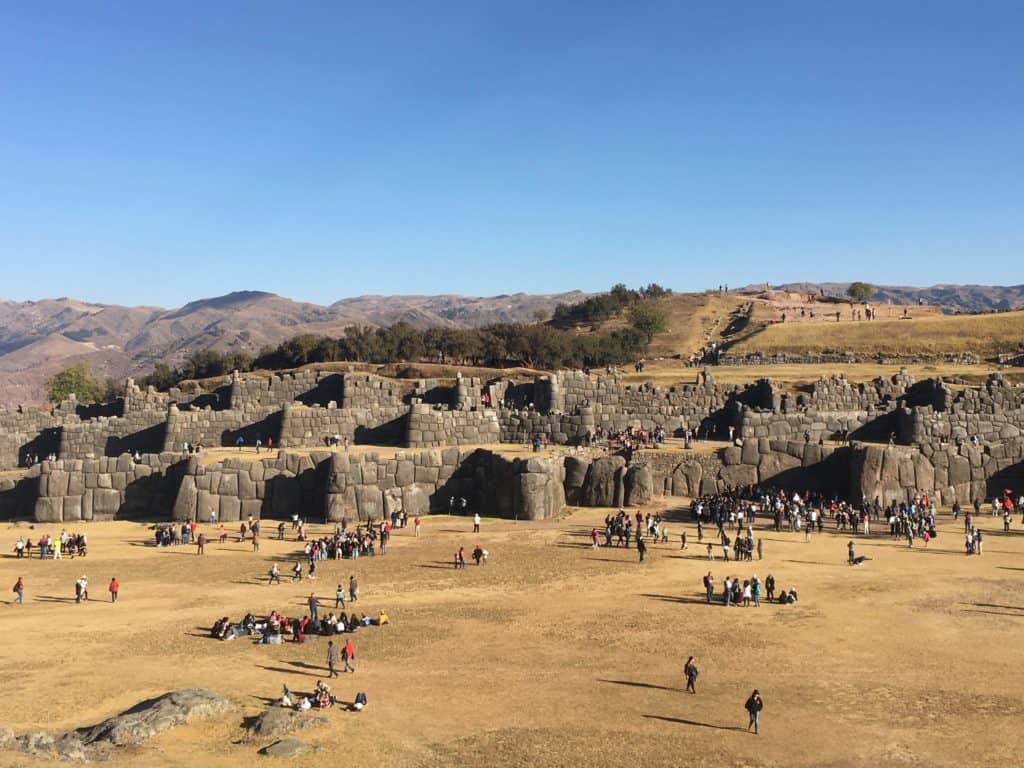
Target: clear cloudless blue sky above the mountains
point(156, 153)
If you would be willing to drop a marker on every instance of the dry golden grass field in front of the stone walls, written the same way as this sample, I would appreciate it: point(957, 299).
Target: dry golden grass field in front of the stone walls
point(552, 655)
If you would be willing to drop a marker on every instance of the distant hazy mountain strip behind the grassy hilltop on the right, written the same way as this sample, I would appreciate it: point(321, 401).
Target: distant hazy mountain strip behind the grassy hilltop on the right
point(950, 298)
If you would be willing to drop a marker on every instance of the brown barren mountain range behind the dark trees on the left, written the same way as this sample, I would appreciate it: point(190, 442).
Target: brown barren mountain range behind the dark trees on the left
point(38, 338)
